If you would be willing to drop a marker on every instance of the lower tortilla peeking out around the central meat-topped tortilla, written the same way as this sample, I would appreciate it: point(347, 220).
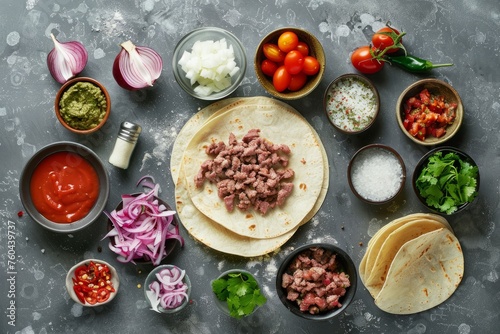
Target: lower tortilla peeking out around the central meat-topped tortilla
point(206, 230)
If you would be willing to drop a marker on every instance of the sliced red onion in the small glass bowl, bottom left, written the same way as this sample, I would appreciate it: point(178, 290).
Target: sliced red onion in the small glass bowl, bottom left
point(168, 291)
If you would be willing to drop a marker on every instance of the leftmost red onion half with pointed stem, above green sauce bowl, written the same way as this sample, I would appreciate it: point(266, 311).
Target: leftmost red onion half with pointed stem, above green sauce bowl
point(66, 59)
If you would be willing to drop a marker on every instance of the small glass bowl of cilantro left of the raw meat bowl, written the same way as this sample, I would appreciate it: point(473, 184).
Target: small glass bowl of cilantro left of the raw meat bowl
point(237, 293)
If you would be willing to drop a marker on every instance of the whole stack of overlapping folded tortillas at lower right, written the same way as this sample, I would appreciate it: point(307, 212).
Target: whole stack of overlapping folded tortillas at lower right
point(412, 264)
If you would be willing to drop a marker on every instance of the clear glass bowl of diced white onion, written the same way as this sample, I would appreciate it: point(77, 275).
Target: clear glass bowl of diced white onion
point(209, 63)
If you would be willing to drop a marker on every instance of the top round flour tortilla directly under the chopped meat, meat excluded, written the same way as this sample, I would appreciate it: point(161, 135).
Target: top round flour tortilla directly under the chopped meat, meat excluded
point(306, 160)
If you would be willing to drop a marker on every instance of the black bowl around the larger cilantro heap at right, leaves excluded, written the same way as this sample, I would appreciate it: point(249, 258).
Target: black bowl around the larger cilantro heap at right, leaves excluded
point(424, 161)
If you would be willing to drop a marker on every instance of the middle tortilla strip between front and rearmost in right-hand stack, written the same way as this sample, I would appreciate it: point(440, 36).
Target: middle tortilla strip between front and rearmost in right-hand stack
point(390, 247)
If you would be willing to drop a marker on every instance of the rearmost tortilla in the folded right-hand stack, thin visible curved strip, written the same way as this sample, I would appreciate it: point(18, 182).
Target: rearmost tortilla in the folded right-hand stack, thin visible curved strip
point(376, 242)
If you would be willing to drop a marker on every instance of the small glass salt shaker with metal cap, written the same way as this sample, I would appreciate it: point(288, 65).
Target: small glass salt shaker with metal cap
point(125, 144)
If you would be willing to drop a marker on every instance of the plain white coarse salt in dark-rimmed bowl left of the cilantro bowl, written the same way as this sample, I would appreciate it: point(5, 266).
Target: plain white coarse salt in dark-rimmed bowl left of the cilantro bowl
point(376, 174)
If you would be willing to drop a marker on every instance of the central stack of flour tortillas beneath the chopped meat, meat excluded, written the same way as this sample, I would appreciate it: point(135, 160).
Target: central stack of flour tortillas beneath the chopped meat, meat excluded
point(247, 233)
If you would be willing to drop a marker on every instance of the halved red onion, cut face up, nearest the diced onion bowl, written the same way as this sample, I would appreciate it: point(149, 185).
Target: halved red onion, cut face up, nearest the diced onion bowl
point(136, 67)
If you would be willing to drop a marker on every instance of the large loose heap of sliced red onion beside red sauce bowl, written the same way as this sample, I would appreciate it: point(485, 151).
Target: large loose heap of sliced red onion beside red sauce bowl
point(143, 226)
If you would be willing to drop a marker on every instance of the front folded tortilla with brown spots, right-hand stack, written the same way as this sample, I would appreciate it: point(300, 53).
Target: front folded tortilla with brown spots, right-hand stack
point(425, 272)
